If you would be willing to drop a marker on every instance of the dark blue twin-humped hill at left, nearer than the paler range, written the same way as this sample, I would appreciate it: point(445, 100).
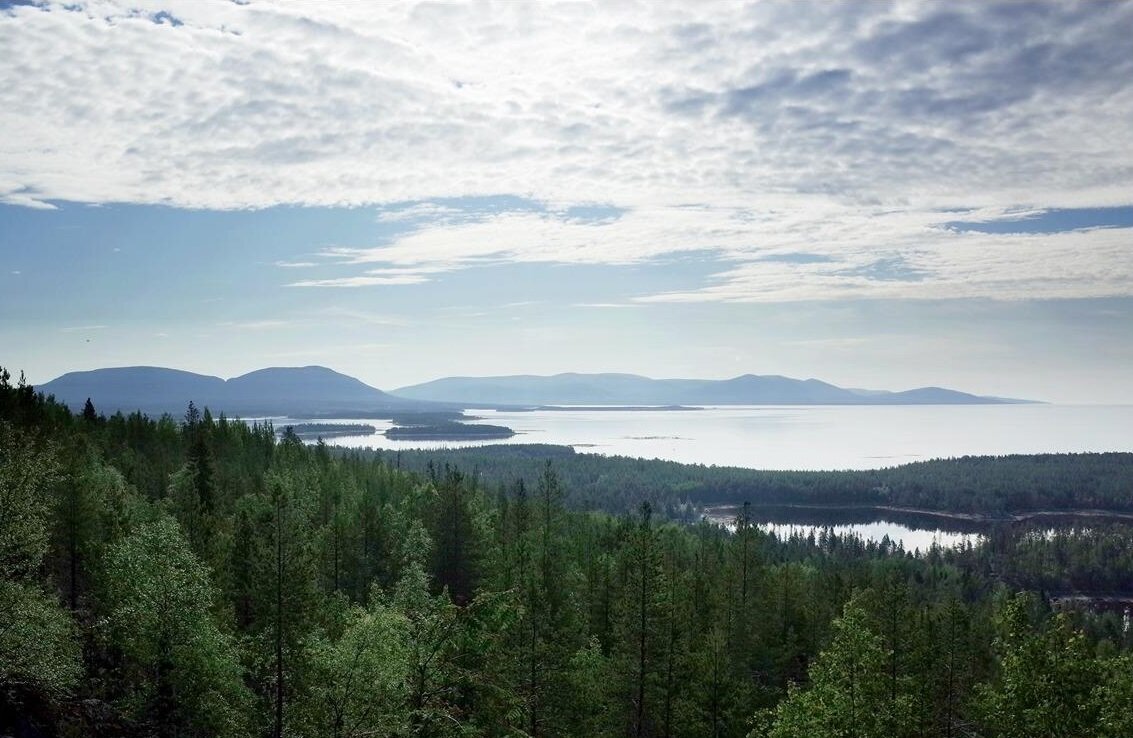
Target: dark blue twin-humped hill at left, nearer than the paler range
point(293, 392)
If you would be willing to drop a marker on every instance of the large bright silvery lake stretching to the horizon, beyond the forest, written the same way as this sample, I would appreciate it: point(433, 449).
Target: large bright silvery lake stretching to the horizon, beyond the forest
point(805, 438)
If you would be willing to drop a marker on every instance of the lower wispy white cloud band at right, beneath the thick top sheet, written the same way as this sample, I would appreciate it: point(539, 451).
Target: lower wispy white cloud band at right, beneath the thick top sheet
point(796, 250)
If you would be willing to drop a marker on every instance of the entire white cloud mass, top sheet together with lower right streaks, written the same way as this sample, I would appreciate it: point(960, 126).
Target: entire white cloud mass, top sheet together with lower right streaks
point(806, 150)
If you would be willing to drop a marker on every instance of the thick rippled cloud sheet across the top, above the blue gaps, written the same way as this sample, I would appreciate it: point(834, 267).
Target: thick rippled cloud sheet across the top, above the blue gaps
point(261, 104)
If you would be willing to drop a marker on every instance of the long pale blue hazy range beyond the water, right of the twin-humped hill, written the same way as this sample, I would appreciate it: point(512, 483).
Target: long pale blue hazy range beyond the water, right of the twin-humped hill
point(631, 389)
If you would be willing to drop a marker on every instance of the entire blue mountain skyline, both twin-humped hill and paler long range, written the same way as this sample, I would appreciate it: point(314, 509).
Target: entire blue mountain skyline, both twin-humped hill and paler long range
point(313, 392)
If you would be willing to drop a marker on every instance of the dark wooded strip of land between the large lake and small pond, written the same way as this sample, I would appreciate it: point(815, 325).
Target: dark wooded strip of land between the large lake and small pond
point(986, 485)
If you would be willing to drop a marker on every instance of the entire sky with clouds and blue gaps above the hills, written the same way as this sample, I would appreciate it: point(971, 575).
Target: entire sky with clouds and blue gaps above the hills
point(881, 196)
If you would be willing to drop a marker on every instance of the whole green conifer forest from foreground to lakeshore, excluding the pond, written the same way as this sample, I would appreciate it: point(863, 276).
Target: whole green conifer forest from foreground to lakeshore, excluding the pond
point(200, 576)
